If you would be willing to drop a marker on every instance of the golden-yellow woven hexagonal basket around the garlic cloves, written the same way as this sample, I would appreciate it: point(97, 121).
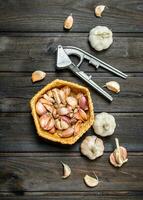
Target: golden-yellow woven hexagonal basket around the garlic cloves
point(55, 137)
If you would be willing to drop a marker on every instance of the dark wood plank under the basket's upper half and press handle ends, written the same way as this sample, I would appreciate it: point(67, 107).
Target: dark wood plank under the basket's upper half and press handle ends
point(16, 90)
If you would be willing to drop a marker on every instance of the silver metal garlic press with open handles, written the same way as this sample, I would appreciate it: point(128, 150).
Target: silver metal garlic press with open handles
point(64, 61)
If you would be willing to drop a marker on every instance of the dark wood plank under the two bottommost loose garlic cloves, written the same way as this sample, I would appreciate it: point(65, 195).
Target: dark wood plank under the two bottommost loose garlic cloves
point(42, 173)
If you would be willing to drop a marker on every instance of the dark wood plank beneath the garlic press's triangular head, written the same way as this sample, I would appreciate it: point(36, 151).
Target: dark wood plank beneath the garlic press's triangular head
point(26, 54)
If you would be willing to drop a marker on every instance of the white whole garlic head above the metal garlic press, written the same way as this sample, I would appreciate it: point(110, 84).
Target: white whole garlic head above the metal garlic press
point(100, 37)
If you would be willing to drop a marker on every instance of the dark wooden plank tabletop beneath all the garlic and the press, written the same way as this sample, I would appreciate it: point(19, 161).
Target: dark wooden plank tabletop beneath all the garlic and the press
point(30, 167)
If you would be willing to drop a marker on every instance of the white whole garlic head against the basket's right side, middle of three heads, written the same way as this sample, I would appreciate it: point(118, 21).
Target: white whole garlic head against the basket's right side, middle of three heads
point(104, 124)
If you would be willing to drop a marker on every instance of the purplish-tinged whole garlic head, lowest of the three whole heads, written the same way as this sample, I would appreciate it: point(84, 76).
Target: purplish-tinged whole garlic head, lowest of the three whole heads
point(92, 147)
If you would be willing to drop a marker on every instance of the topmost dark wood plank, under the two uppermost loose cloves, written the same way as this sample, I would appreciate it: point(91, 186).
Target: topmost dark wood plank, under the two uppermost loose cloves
point(46, 15)
